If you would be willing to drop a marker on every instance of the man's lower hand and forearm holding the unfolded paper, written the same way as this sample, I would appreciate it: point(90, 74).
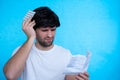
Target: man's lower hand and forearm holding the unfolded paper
point(80, 76)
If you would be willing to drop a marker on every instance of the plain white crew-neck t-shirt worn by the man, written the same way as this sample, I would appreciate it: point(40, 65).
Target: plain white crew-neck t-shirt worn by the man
point(46, 65)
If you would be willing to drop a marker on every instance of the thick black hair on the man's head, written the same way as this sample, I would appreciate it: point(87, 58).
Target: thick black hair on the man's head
point(45, 17)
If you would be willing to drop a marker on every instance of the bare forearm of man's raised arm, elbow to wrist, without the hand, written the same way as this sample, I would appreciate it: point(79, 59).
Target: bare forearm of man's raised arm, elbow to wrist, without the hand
point(15, 65)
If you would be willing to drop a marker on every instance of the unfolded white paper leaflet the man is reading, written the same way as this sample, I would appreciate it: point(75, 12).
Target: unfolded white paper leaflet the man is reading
point(78, 64)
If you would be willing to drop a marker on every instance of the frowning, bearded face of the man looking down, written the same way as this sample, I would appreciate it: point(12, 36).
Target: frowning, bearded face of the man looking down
point(45, 36)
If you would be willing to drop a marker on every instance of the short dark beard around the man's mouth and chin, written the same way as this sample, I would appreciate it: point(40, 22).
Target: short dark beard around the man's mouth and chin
point(46, 42)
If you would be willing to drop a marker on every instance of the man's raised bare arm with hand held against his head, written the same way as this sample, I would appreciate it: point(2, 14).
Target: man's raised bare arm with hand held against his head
point(16, 64)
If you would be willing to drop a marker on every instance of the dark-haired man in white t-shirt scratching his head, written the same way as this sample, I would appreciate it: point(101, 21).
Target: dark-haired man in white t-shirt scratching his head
point(42, 60)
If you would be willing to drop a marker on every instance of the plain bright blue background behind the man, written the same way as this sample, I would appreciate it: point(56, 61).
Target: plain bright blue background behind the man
point(85, 25)
